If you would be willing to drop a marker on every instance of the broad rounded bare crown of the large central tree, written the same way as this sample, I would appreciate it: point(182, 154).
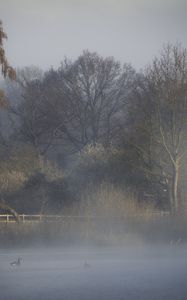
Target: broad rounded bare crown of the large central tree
point(90, 93)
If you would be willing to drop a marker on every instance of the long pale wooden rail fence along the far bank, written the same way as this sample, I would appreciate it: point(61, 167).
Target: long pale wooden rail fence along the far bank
point(7, 218)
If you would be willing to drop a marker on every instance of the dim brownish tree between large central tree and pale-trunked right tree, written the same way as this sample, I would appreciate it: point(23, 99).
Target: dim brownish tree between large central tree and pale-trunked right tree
point(142, 151)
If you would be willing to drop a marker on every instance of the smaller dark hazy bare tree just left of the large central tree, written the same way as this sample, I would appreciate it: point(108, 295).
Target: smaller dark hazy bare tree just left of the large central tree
point(32, 125)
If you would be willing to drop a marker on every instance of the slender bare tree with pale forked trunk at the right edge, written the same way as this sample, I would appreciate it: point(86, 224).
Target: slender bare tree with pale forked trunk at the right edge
point(168, 81)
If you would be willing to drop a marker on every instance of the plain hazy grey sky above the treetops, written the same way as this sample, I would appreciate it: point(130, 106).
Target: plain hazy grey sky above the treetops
point(42, 32)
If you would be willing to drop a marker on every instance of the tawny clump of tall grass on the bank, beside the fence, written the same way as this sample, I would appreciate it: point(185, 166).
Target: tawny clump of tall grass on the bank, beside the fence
point(109, 200)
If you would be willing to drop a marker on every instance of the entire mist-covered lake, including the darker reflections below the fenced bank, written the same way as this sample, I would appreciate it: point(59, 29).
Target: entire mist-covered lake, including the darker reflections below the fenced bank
point(132, 260)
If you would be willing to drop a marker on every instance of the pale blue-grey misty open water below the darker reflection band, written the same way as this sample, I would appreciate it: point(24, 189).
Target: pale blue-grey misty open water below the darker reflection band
point(147, 273)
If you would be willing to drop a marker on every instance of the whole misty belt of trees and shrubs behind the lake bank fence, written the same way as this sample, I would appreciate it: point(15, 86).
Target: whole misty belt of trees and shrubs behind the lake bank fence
point(95, 133)
